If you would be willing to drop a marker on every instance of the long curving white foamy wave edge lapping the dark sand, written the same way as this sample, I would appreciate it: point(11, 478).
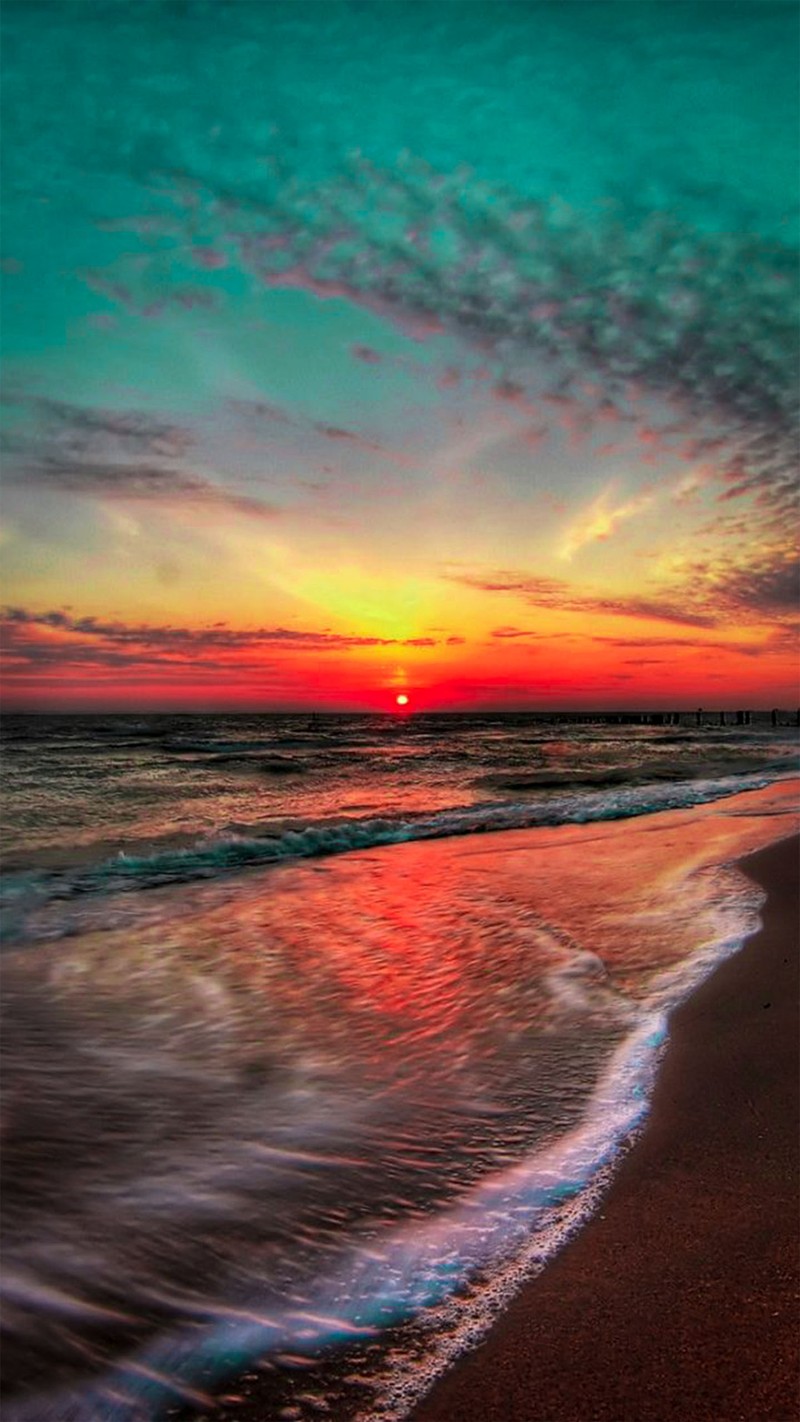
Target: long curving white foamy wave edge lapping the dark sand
point(458, 1266)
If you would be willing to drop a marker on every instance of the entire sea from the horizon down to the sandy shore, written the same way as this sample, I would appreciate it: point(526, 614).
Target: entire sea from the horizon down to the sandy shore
point(322, 1033)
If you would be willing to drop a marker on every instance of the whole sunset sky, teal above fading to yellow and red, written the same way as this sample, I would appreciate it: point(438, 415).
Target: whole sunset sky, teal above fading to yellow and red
point(359, 351)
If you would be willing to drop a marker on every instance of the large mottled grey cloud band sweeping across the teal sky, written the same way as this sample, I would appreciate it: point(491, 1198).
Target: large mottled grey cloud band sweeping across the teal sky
point(619, 301)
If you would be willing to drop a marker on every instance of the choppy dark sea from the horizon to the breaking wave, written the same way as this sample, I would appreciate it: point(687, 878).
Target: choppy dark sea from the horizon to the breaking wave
point(100, 804)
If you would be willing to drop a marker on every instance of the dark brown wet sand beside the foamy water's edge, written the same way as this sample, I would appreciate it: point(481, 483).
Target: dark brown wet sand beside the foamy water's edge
point(681, 1299)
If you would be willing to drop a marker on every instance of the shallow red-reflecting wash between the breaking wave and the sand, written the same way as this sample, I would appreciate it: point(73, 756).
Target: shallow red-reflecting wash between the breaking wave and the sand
point(323, 1096)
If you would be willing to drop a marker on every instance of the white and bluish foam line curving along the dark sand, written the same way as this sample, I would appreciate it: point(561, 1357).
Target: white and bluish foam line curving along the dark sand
point(512, 1224)
